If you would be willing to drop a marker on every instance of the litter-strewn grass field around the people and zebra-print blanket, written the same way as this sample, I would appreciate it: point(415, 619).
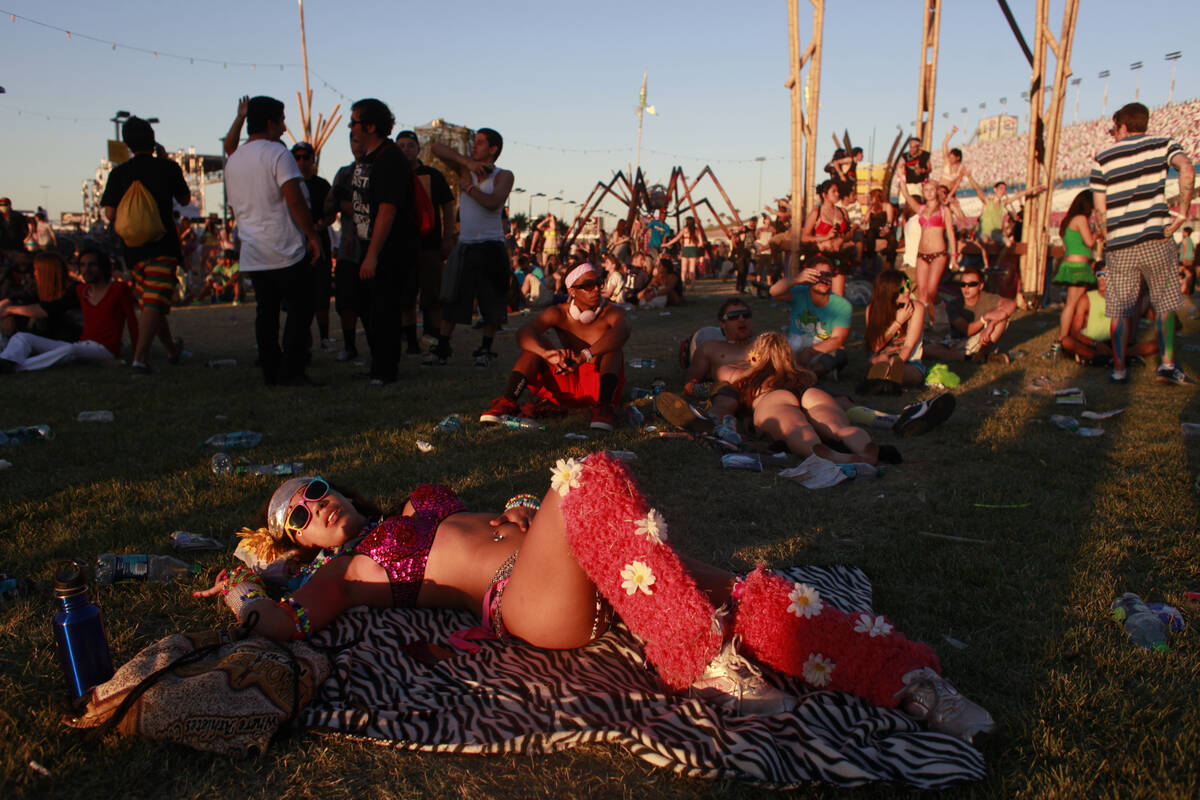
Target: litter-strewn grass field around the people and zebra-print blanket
point(1025, 586)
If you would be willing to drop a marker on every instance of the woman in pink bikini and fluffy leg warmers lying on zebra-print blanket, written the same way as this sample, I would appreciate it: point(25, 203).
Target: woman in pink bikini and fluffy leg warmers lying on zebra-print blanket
point(554, 573)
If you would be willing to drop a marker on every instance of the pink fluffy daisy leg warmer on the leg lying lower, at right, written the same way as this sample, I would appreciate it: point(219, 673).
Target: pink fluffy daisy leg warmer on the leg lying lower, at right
point(789, 628)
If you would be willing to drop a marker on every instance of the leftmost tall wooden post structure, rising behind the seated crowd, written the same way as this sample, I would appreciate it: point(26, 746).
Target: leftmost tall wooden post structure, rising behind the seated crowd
point(805, 115)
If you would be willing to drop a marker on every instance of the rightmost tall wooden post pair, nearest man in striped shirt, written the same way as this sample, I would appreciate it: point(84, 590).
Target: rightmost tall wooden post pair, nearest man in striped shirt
point(1043, 147)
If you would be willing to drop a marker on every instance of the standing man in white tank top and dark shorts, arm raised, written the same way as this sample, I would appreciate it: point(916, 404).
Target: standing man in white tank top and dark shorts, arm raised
point(479, 269)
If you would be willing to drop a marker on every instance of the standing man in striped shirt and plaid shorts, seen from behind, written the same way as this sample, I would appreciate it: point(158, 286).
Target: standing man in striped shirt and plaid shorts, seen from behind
point(1130, 187)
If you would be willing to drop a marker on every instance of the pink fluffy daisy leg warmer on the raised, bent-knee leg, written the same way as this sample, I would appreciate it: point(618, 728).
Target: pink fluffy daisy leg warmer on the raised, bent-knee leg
point(621, 544)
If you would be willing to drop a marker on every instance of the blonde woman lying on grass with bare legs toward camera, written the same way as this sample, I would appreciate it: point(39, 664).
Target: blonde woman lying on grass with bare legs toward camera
point(788, 407)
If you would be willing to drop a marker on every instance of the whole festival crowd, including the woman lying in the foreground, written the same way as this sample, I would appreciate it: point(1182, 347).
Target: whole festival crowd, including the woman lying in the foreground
point(394, 249)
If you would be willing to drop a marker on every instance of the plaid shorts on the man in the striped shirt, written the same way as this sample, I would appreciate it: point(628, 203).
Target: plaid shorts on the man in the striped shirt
point(1157, 262)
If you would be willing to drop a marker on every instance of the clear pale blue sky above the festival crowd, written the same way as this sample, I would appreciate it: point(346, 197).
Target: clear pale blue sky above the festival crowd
point(560, 81)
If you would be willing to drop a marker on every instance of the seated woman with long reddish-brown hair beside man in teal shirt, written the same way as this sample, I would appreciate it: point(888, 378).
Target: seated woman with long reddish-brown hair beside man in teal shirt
point(896, 322)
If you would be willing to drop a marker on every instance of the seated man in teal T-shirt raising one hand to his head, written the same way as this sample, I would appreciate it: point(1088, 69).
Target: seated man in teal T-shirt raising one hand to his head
point(820, 320)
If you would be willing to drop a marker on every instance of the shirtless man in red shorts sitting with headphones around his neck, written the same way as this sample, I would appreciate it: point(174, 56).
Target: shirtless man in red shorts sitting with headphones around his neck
point(587, 369)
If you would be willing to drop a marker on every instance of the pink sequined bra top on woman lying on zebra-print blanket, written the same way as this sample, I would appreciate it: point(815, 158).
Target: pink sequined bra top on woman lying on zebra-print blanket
point(401, 545)
